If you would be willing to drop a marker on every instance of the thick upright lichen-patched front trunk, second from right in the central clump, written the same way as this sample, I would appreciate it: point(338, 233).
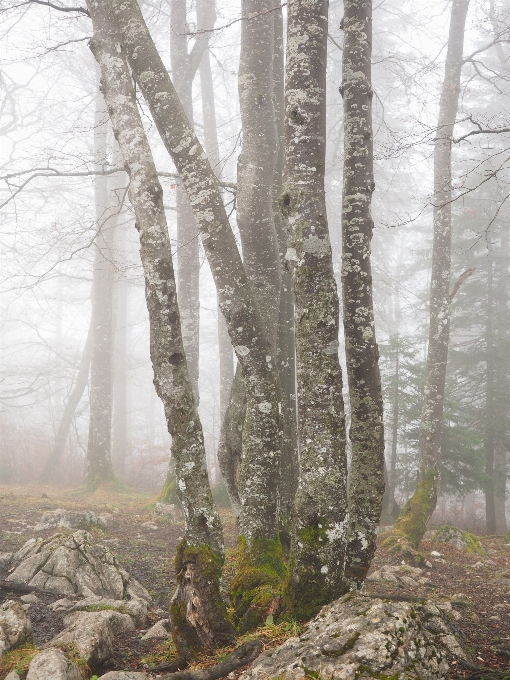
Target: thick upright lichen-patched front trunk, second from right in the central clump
point(320, 522)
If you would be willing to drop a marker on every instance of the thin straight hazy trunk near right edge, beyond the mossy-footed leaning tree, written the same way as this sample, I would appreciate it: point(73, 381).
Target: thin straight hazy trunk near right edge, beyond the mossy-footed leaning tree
point(490, 425)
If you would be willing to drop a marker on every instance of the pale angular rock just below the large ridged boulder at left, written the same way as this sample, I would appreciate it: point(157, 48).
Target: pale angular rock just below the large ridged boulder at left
point(93, 633)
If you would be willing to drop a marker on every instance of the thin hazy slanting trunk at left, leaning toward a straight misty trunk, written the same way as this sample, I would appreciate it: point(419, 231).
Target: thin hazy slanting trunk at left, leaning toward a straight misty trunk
point(50, 472)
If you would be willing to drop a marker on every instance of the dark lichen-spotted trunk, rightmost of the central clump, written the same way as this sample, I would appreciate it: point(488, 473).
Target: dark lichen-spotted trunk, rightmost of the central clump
point(366, 487)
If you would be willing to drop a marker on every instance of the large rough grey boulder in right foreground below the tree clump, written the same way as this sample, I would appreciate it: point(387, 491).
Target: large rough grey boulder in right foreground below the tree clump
point(363, 637)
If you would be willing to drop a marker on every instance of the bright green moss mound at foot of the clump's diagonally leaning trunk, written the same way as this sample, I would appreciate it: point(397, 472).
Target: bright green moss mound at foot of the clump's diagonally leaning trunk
point(257, 584)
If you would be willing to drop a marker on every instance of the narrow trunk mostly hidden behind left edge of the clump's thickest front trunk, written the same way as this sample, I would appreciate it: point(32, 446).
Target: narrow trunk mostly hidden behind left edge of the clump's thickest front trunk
point(285, 346)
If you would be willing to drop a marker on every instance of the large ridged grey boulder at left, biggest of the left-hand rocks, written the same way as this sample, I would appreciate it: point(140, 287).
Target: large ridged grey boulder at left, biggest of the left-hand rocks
point(74, 565)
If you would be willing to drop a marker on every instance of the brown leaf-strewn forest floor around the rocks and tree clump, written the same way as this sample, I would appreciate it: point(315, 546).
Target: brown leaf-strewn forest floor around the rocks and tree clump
point(478, 587)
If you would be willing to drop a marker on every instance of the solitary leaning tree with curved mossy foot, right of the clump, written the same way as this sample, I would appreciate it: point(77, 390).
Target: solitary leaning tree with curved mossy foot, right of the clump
point(411, 523)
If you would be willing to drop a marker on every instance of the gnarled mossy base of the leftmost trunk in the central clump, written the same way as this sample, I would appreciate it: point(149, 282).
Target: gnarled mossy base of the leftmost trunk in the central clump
point(197, 612)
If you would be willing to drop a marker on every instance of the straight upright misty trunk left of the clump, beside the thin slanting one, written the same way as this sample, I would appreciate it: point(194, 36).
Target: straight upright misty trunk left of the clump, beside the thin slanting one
point(98, 463)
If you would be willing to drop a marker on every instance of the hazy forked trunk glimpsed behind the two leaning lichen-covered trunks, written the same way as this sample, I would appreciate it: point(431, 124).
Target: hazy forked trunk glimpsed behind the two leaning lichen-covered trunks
point(184, 68)
